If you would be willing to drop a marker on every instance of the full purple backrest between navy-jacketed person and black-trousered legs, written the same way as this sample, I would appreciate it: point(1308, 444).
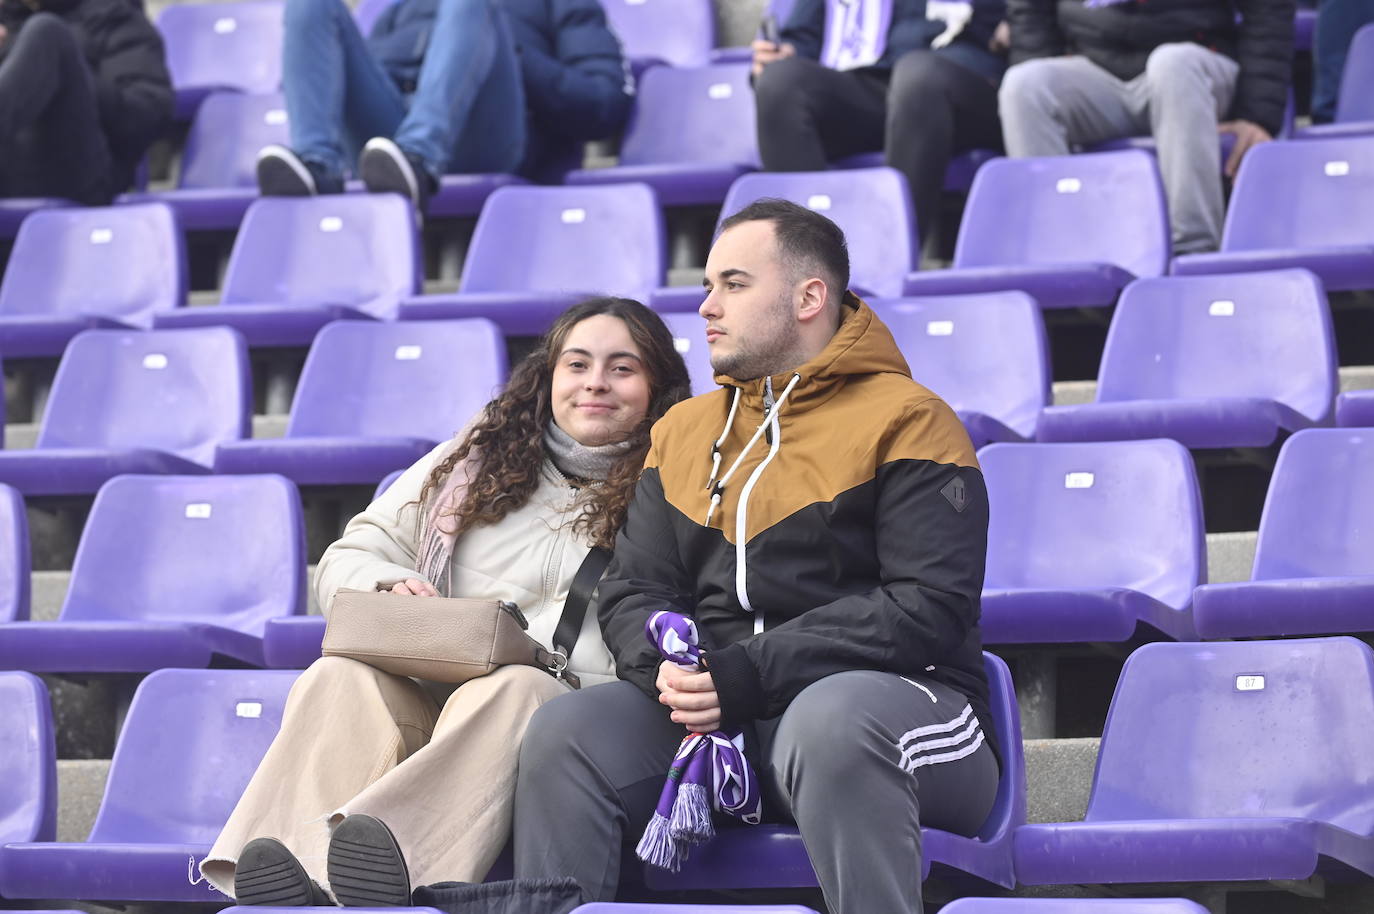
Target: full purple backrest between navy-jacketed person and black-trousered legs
point(693, 115)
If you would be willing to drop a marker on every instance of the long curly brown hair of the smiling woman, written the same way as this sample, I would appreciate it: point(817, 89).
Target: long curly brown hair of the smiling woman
point(509, 435)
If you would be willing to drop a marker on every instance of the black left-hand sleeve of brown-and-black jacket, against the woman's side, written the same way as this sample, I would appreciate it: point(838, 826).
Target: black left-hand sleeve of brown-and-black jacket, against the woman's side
point(645, 577)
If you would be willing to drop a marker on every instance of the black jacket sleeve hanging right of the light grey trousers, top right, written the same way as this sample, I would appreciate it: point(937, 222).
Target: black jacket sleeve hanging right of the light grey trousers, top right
point(1265, 52)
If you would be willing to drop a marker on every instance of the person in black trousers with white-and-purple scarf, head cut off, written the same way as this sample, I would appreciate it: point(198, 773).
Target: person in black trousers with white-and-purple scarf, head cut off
point(923, 90)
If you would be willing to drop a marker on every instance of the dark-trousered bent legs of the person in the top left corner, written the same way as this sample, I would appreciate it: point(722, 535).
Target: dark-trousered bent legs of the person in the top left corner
point(50, 126)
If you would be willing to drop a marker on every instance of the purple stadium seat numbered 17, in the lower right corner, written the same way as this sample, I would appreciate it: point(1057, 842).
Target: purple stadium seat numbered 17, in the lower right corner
point(1208, 772)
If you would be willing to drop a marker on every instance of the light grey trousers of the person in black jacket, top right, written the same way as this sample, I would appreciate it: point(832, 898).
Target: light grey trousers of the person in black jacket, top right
point(1055, 104)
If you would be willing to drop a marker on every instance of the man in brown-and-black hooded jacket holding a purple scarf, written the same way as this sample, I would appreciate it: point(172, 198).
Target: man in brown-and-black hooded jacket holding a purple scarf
point(835, 582)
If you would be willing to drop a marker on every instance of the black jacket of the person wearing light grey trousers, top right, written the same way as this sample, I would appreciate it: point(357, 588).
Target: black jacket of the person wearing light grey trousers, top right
point(1120, 38)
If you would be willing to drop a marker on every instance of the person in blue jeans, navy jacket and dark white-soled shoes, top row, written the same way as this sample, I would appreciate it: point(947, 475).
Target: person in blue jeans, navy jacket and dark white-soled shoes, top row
point(443, 86)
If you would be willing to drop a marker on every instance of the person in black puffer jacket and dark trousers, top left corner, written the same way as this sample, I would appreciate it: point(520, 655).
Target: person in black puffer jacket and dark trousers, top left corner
point(85, 91)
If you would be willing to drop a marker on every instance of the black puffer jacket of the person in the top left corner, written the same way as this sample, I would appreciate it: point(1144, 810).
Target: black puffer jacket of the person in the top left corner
point(127, 61)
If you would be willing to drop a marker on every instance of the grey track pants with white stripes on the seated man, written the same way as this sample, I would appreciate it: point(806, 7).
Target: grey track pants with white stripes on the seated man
point(858, 761)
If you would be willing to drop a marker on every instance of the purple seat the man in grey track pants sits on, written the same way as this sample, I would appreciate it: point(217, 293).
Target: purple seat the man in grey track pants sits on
point(773, 856)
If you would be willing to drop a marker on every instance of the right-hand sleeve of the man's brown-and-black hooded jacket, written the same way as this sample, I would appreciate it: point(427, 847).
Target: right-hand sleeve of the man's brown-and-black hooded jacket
point(932, 550)
